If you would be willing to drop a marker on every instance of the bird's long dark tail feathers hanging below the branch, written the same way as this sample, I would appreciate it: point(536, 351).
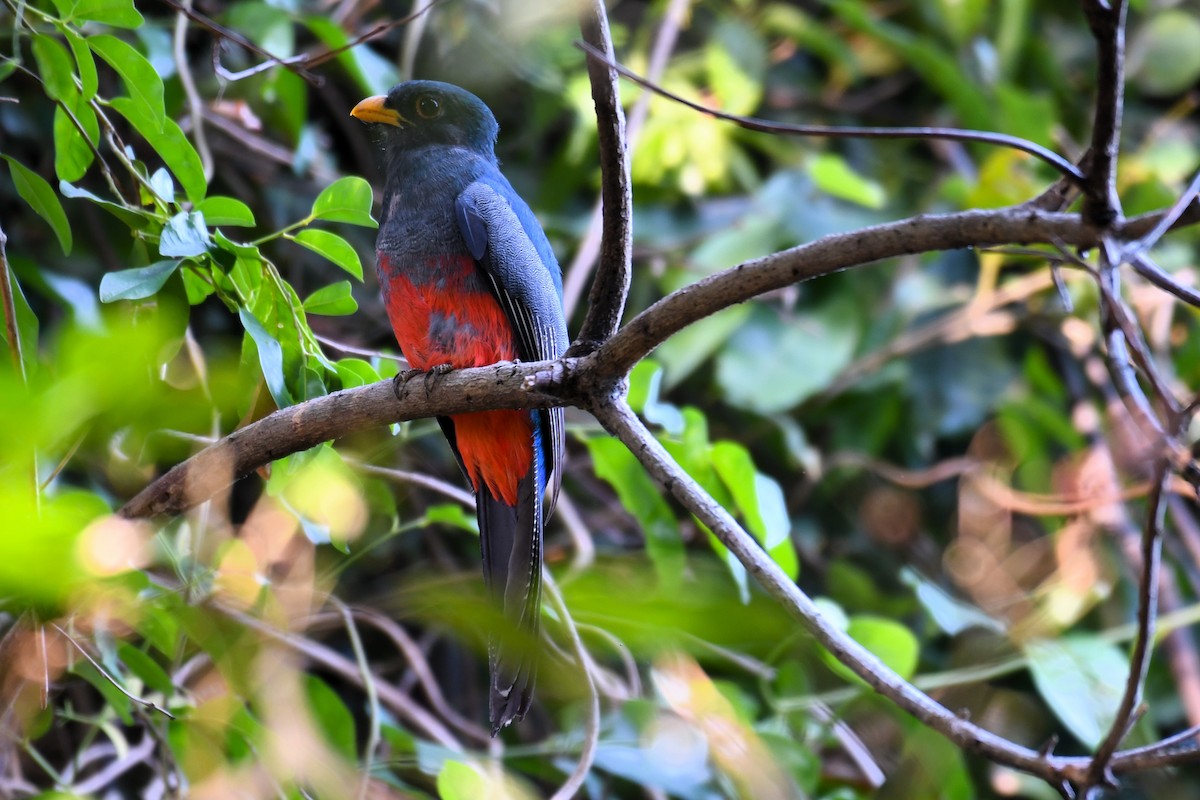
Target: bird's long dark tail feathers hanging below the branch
point(511, 539)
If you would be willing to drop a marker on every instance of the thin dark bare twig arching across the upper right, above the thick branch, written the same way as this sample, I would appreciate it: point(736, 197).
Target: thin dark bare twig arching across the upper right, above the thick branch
point(849, 131)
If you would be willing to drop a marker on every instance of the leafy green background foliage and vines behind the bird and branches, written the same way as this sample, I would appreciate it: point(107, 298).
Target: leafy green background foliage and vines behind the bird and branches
point(189, 246)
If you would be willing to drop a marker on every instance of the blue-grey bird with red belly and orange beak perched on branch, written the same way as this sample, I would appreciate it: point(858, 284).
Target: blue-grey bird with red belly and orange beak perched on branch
point(469, 279)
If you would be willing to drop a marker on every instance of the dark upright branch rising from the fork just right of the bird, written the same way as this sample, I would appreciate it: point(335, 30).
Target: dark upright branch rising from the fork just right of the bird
point(610, 290)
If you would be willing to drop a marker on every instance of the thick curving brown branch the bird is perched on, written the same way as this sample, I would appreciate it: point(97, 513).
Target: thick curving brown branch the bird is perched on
point(577, 382)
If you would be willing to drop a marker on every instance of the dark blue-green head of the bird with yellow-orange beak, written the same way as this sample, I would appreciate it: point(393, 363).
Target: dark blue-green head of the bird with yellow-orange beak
point(421, 113)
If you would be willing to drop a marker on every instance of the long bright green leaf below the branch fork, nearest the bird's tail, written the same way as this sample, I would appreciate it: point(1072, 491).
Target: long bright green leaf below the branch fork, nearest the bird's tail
point(643, 498)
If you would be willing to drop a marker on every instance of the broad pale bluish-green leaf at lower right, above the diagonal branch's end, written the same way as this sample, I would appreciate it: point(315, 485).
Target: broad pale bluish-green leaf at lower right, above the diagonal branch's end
point(1082, 678)
